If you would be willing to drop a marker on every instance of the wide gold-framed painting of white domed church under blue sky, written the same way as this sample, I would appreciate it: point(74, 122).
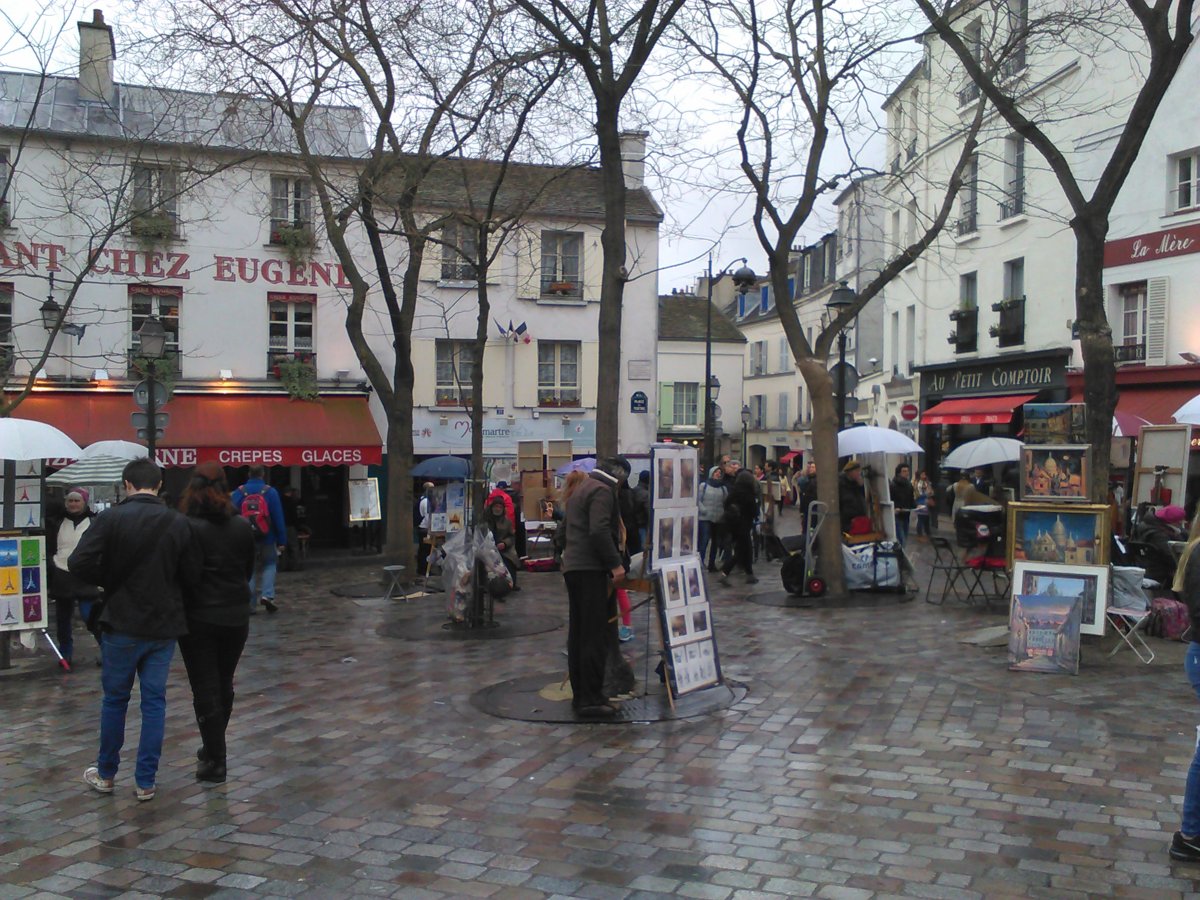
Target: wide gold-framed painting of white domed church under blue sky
point(1066, 533)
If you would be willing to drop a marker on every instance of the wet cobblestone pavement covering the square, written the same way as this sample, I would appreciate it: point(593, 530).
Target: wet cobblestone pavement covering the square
point(874, 755)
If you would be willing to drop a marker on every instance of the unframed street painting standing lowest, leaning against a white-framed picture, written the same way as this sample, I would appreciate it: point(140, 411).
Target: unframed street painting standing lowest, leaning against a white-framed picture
point(1043, 634)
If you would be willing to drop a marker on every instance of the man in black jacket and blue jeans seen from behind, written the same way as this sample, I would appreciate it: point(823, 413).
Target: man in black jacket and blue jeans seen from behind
point(140, 553)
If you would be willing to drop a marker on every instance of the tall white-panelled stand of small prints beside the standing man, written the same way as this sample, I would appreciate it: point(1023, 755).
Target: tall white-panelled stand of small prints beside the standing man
point(686, 616)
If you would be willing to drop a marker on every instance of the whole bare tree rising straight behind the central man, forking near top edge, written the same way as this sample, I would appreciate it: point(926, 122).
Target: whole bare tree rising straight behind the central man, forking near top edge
point(610, 41)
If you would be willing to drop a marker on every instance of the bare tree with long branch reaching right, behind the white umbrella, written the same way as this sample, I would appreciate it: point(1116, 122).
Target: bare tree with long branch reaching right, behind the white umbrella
point(800, 73)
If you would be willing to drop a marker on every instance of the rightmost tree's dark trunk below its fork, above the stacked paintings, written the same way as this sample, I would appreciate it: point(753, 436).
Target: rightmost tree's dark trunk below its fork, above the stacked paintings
point(1096, 344)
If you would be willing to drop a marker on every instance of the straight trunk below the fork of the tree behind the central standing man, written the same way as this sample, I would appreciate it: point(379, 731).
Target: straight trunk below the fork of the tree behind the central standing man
point(613, 289)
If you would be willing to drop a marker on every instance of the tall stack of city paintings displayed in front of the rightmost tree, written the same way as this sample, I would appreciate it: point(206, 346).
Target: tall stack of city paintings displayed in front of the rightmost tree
point(1058, 547)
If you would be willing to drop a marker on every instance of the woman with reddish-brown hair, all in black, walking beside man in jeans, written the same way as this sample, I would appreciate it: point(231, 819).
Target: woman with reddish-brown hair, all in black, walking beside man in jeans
point(218, 609)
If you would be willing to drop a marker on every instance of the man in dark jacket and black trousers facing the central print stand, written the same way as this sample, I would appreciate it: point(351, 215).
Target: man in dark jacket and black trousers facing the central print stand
point(593, 569)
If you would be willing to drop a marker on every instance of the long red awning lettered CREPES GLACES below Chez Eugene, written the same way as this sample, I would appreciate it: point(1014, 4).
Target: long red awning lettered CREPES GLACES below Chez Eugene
point(230, 429)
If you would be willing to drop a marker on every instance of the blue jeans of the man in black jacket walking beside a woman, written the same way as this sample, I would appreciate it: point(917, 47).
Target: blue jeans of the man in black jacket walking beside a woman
point(127, 656)
